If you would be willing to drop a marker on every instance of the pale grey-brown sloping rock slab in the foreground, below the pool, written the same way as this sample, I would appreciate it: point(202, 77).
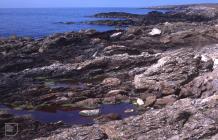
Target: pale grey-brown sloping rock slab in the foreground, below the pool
point(185, 119)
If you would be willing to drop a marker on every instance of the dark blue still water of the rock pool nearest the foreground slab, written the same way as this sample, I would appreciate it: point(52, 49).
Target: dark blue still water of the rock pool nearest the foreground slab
point(72, 116)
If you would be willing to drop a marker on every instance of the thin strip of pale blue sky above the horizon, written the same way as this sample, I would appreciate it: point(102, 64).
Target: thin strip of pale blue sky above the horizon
point(93, 3)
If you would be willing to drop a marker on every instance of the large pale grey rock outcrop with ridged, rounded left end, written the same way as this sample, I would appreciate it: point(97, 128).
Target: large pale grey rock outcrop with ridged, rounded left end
point(170, 72)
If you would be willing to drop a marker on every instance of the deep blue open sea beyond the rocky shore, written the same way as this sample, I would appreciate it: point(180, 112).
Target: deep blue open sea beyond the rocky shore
point(40, 22)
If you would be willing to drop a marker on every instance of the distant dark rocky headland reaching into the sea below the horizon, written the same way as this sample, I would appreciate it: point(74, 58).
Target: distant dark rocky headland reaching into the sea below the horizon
point(122, 19)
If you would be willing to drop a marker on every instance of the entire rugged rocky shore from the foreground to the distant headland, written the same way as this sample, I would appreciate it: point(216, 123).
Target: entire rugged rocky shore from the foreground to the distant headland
point(169, 76)
